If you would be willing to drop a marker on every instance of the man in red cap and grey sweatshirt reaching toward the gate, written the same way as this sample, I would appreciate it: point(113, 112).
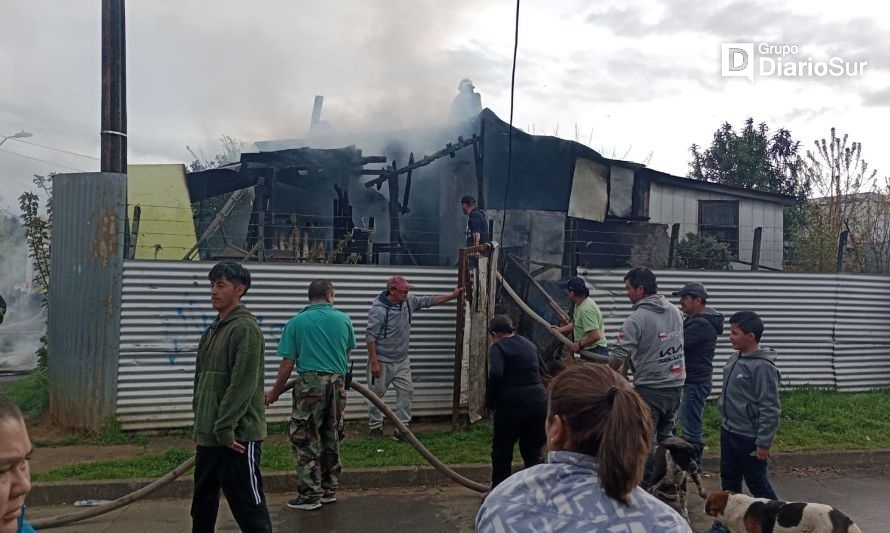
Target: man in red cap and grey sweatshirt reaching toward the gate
point(387, 334)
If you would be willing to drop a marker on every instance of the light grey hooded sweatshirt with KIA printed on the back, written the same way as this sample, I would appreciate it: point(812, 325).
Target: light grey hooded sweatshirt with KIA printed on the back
point(652, 338)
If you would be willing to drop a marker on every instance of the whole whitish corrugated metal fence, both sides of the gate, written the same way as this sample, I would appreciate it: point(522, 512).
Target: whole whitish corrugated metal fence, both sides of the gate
point(830, 330)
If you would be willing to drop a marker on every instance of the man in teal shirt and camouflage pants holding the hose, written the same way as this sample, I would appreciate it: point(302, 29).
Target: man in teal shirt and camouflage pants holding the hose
point(316, 341)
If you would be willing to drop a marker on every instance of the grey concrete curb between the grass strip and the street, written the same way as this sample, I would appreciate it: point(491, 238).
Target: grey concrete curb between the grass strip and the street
point(67, 492)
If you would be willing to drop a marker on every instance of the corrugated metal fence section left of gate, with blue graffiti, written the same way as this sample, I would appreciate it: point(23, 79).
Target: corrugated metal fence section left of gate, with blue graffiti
point(166, 307)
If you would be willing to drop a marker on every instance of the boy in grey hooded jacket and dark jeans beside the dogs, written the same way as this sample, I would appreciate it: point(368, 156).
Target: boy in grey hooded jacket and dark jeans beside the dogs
point(749, 408)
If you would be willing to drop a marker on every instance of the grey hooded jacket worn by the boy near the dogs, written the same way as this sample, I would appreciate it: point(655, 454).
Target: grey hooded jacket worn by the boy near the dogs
point(750, 404)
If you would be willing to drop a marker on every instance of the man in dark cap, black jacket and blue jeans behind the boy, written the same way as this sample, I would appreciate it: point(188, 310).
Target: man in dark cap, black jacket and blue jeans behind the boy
point(700, 330)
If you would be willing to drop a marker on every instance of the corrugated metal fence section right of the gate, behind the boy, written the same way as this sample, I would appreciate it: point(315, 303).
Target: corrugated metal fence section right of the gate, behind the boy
point(829, 329)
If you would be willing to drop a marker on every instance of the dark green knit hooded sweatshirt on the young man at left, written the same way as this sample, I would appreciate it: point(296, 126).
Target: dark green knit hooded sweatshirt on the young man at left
point(228, 393)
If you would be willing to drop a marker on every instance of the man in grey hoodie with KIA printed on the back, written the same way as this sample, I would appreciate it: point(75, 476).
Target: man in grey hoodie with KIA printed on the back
point(651, 341)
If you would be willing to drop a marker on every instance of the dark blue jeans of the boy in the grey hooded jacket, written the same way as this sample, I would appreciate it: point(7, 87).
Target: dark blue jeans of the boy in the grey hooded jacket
point(738, 461)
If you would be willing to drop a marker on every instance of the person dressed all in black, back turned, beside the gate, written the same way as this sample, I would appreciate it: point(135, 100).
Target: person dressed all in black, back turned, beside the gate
point(518, 398)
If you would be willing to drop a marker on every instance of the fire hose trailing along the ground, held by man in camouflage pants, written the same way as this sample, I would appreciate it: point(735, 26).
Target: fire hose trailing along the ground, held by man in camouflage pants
point(70, 518)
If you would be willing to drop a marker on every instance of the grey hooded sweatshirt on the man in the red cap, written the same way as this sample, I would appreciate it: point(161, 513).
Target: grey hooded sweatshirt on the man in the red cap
point(389, 325)
